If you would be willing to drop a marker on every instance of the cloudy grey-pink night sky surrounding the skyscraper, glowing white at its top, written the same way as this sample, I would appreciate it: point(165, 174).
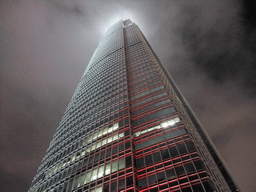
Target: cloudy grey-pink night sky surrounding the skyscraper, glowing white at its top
point(208, 46)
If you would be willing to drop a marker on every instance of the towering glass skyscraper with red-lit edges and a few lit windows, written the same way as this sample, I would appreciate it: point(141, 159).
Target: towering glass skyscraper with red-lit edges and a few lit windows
point(128, 128)
